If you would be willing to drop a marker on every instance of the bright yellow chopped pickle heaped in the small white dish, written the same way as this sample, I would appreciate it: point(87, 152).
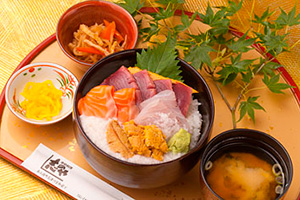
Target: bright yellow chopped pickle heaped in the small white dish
point(42, 100)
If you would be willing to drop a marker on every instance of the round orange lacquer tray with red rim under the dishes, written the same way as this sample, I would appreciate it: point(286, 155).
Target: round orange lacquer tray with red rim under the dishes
point(18, 139)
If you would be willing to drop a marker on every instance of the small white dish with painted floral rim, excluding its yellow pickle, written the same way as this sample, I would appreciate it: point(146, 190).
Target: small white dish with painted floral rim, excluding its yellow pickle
point(62, 79)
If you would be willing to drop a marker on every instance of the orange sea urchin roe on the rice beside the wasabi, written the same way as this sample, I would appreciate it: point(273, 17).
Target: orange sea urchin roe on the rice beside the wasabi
point(133, 139)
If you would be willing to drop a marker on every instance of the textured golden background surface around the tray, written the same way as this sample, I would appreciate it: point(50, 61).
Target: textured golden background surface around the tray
point(25, 24)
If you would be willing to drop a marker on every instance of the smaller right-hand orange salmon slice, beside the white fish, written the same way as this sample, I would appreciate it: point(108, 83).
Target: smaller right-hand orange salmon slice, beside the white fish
point(126, 105)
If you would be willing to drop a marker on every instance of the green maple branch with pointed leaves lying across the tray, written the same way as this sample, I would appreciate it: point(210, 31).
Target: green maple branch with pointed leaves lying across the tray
point(197, 49)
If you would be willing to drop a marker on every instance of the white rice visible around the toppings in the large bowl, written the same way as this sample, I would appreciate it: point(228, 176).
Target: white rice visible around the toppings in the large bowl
point(95, 128)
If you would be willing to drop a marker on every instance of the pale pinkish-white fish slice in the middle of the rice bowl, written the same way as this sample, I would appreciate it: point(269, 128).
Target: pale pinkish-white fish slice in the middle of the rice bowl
point(162, 110)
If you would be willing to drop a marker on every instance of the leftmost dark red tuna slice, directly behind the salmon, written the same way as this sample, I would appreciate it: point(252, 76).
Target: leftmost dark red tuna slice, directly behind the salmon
point(122, 78)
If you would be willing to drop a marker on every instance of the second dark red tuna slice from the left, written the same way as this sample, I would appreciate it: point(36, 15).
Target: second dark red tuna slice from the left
point(145, 84)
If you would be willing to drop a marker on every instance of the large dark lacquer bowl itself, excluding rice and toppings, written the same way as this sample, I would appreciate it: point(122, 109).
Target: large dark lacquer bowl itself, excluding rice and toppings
point(141, 175)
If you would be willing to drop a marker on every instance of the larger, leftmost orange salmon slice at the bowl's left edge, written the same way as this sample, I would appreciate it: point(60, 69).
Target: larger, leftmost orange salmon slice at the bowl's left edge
point(99, 102)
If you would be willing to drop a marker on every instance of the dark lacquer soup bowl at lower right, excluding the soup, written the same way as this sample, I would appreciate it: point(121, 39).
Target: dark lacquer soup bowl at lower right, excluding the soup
point(251, 141)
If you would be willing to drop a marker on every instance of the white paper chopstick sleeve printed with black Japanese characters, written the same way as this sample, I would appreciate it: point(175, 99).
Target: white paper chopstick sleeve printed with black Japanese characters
point(69, 177)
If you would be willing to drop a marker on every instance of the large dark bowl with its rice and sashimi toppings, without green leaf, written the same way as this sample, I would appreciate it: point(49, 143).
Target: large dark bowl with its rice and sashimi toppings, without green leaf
point(138, 128)
